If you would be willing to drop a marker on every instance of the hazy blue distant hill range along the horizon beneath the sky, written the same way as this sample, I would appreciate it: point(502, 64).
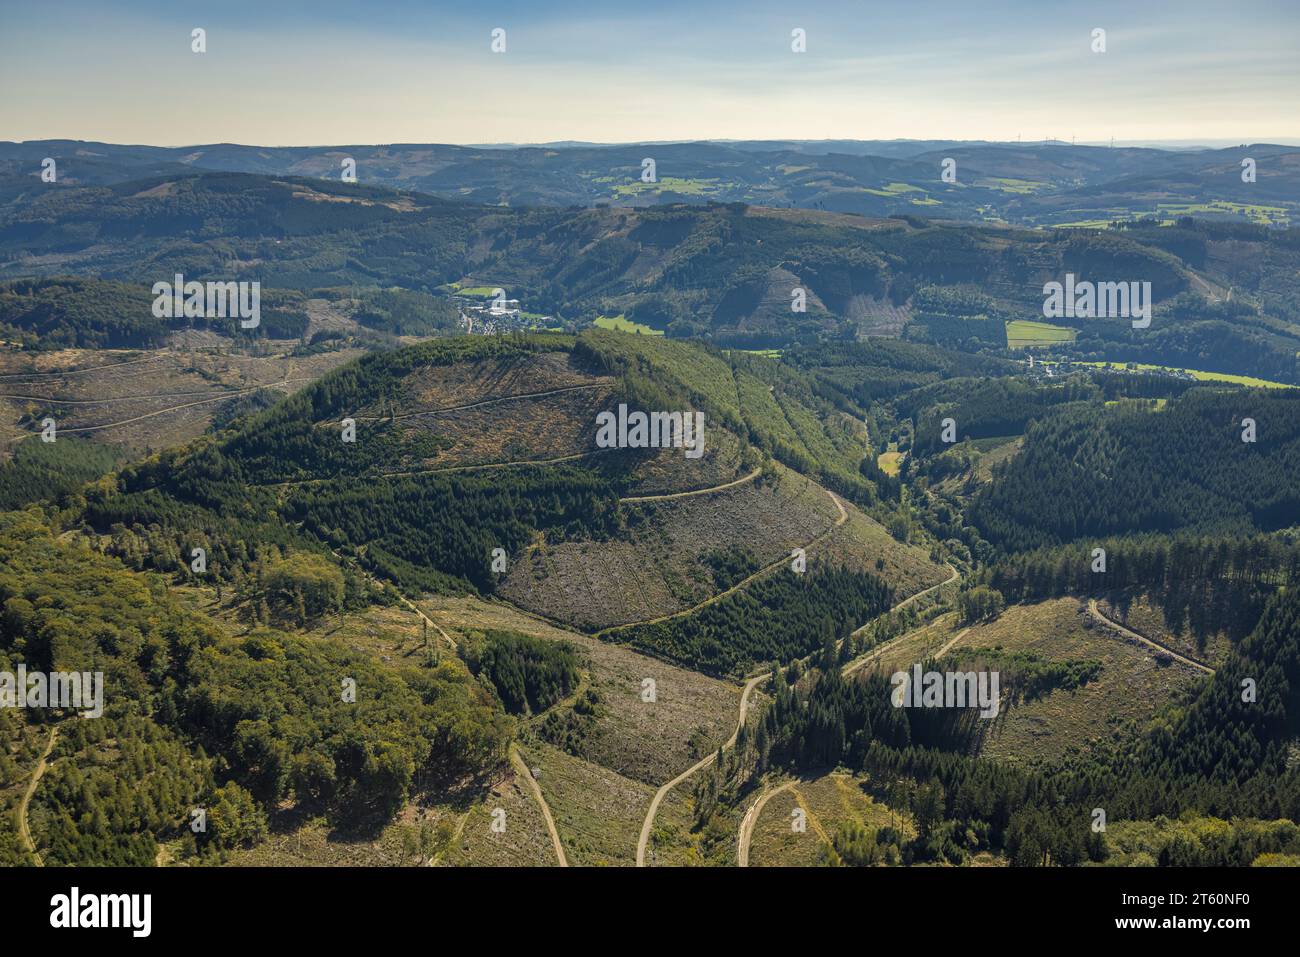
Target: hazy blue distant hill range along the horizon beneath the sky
point(1028, 184)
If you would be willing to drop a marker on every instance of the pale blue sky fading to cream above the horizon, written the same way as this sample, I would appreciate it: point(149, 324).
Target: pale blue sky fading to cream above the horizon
point(292, 73)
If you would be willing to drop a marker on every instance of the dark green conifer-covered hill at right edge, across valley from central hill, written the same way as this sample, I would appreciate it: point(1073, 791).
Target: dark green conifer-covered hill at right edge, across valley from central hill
point(1090, 473)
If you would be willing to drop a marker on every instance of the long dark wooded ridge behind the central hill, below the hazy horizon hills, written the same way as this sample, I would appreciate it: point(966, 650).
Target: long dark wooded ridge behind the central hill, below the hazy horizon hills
point(1225, 296)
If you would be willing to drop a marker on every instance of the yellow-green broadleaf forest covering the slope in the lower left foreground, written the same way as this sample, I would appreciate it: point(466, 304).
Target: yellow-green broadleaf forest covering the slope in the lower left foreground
point(198, 717)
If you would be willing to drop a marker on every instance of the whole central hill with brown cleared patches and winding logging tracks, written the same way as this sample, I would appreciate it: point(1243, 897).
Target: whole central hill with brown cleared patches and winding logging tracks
point(471, 466)
